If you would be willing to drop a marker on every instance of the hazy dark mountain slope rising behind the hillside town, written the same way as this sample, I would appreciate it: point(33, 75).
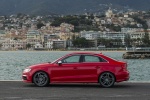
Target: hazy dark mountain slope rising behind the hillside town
point(41, 7)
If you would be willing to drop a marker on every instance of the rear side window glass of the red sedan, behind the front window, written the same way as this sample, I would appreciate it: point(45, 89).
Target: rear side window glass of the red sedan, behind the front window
point(91, 58)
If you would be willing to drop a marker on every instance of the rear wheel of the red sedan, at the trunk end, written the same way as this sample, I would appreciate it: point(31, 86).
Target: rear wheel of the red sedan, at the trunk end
point(107, 79)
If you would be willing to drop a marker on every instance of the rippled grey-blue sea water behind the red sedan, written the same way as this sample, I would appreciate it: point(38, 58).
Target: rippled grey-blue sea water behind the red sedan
point(12, 63)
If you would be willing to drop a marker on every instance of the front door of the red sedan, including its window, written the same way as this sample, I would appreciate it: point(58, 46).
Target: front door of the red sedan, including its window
point(66, 71)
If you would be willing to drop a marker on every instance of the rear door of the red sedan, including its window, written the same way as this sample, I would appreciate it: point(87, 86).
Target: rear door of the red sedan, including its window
point(89, 68)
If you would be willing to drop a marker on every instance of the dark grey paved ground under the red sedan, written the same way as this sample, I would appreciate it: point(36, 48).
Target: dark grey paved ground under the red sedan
point(25, 91)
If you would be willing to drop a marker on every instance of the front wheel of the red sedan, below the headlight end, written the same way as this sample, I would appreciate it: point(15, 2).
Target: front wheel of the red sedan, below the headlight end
point(40, 79)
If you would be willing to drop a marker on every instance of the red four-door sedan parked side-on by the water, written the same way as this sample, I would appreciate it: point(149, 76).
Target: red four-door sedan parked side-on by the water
point(78, 68)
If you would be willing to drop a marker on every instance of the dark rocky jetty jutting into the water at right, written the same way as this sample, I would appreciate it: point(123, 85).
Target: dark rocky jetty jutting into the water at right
point(137, 53)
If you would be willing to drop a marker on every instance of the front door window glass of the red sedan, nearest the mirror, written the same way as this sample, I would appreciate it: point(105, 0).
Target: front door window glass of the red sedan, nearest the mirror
point(71, 59)
